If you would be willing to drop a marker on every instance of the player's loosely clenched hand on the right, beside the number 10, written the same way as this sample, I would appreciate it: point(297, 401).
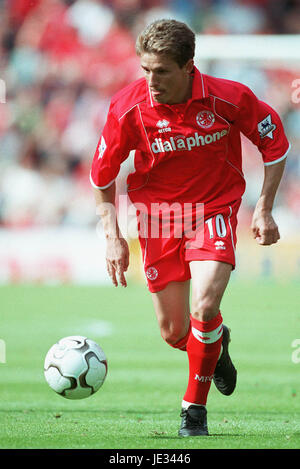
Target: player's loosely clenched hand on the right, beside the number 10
point(264, 228)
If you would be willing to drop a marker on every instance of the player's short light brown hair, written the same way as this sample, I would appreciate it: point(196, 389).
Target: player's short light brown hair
point(167, 37)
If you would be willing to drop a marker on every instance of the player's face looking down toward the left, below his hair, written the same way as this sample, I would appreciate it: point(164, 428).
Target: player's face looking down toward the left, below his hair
point(168, 83)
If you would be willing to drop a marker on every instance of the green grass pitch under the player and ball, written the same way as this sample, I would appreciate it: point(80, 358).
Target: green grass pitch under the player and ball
point(139, 403)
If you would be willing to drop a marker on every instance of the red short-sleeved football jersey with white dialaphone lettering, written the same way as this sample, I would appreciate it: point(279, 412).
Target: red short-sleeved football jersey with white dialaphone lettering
point(190, 152)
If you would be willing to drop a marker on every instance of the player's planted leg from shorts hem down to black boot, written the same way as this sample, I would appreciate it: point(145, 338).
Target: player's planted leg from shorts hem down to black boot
point(209, 281)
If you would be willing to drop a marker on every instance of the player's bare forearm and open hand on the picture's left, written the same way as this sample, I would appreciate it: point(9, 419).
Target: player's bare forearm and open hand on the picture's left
point(117, 251)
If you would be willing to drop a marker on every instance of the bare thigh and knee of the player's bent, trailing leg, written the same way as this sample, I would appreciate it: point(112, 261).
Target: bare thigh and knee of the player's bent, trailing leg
point(172, 309)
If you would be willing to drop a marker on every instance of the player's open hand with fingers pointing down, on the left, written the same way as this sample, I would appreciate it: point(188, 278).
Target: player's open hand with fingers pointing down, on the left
point(117, 260)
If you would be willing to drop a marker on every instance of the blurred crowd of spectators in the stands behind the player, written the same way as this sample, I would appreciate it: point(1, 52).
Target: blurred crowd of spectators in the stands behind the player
point(61, 61)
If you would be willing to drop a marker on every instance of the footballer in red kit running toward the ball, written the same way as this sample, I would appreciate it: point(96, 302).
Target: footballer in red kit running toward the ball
point(185, 128)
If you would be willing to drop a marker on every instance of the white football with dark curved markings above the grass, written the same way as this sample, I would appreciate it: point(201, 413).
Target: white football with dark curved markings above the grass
point(75, 367)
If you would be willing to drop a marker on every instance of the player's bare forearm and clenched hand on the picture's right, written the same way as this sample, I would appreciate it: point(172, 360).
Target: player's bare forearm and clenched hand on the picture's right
point(264, 227)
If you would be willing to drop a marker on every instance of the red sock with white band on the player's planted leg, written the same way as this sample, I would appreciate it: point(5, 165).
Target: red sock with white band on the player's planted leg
point(203, 349)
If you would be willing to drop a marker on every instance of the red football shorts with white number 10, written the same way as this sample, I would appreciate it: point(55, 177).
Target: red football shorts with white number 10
point(167, 254)
